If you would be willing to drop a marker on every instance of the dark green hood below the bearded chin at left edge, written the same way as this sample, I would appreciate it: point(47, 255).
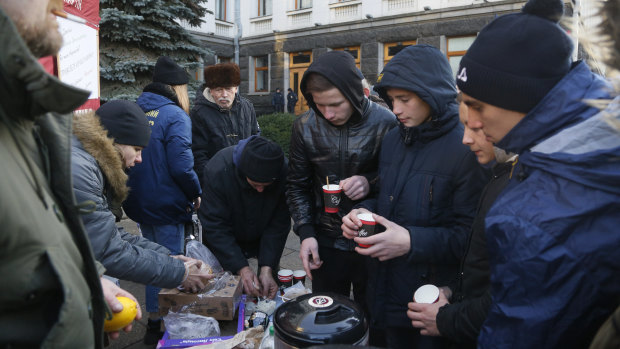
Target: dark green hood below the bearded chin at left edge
point(26, 89)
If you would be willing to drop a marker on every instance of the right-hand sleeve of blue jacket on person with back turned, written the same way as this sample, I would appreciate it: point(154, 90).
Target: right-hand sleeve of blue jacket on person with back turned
point(179, 155)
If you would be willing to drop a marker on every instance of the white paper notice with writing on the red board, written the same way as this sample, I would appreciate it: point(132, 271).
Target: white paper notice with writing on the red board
point(78, 59)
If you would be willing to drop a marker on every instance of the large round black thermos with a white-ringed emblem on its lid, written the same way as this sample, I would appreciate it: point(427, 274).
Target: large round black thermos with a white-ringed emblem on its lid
point(319, 318)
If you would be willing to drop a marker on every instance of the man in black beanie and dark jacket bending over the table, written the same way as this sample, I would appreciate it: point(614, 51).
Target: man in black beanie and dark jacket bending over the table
point(246, 213)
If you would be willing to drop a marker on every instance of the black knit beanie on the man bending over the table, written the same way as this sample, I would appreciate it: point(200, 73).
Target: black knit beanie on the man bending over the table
point(261, 160)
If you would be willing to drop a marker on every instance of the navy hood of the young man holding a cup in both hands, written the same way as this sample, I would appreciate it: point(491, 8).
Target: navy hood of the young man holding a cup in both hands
point(423, 70)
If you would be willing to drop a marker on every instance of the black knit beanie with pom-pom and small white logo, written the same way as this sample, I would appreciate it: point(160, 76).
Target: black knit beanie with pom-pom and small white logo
point(518, 58)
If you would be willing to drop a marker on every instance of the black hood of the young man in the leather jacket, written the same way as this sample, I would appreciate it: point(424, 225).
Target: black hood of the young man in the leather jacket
point(346, 78)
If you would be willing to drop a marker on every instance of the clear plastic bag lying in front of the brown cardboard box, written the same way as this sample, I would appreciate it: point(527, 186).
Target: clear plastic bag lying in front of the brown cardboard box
point(190, 326)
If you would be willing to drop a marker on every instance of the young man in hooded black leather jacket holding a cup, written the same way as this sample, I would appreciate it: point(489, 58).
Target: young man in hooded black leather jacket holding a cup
point(338, 138)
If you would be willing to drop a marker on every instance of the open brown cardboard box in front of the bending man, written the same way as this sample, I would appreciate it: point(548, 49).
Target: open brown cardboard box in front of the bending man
point(220, 305)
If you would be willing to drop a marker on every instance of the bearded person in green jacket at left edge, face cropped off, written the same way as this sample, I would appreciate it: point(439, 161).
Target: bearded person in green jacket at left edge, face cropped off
point(53, 295)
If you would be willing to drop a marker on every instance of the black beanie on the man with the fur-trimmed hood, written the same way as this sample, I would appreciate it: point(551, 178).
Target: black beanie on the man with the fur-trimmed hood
point(125, 122)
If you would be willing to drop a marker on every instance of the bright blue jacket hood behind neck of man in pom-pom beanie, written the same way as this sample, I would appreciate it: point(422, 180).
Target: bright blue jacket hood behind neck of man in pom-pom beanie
point(569, 138)
